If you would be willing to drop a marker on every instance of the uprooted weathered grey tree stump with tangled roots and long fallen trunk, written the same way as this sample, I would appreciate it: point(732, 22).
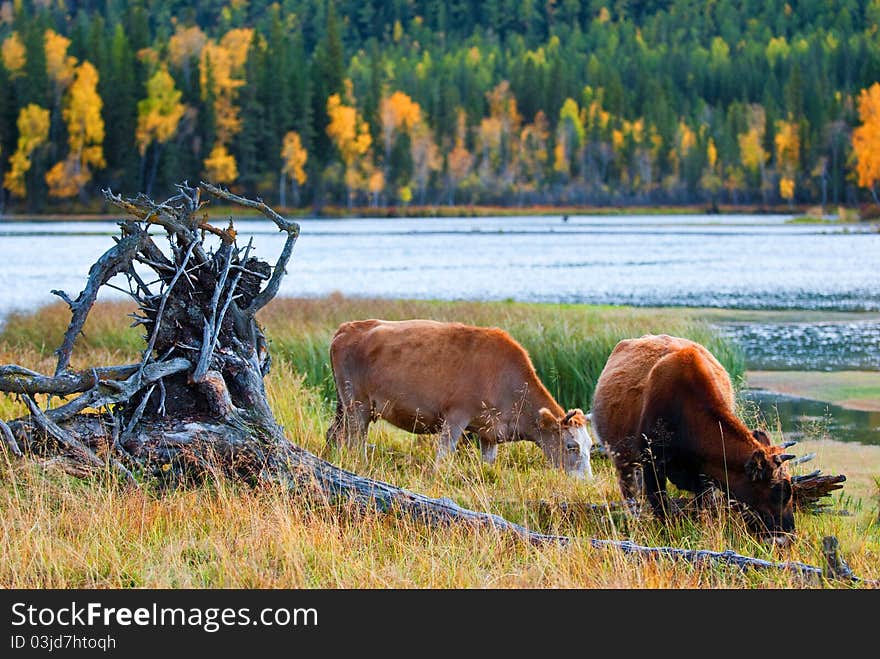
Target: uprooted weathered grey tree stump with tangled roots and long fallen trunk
point(195, 406)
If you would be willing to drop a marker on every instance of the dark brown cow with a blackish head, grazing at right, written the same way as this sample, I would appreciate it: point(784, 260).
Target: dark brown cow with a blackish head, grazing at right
point(665, 406)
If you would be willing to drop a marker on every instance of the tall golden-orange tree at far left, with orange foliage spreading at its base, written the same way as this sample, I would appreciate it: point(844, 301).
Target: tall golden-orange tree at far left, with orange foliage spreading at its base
point(85, 130)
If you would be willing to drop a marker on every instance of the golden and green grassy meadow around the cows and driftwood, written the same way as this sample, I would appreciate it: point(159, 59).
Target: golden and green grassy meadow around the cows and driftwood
point(57, 531)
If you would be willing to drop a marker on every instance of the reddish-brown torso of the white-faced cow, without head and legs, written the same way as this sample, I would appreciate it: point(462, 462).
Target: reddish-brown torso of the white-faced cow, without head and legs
point(425, 365)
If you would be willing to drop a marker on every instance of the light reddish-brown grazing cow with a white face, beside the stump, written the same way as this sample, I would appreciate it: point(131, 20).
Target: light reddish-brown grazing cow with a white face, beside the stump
point(431, 377)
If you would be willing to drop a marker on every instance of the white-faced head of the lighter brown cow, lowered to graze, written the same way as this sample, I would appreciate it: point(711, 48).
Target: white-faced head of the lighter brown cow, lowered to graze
point(566, 441)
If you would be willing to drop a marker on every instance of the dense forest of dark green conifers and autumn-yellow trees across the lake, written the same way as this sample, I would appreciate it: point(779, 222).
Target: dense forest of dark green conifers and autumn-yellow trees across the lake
point(371, 103)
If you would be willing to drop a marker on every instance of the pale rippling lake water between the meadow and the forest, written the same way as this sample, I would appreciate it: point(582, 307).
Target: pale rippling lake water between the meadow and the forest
point(740, 262)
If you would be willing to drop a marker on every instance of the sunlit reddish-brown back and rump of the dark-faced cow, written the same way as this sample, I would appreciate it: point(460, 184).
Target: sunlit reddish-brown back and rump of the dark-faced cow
point(621, 388)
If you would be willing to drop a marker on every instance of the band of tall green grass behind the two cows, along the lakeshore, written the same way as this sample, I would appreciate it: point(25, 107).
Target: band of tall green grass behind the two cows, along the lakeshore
point(568, 344)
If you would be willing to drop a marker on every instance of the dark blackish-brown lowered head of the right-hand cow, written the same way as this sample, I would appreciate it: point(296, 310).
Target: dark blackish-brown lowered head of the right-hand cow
point(766, 490)
